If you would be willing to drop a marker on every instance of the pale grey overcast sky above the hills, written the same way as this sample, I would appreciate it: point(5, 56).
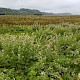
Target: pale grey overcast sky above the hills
point(55, 6)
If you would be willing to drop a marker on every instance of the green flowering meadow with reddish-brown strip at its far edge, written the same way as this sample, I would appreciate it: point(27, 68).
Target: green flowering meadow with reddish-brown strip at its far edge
point(39, 47)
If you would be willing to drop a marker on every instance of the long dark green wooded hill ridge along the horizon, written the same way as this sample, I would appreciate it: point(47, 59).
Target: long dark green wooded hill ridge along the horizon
point(23, 11)
